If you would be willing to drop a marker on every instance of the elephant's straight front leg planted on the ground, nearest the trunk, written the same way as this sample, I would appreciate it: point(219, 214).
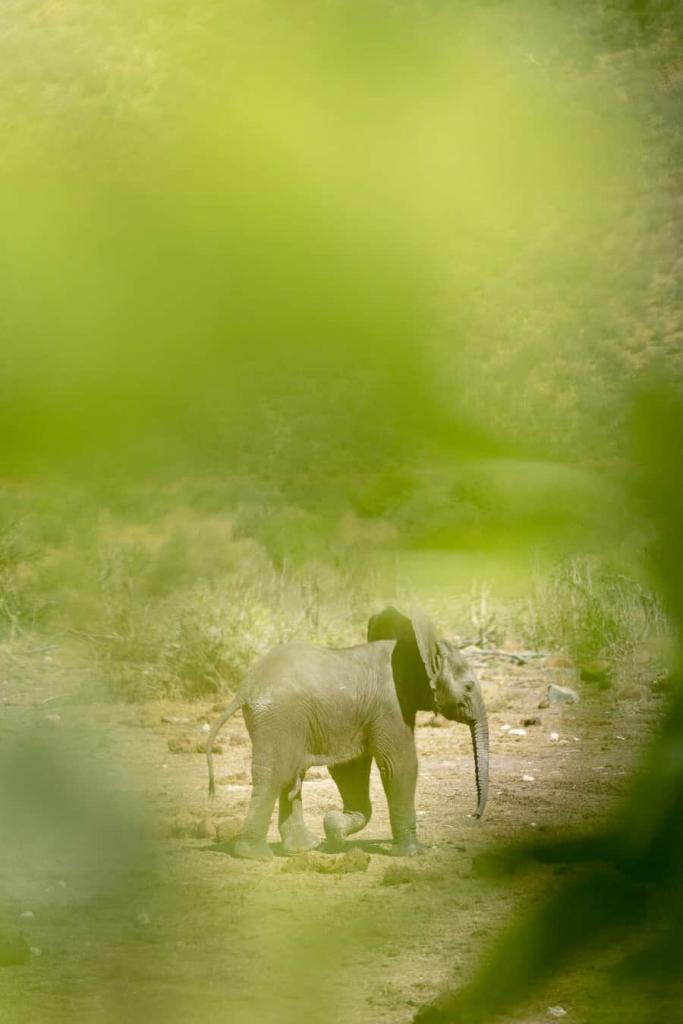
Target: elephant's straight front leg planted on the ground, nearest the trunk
point(399, 772)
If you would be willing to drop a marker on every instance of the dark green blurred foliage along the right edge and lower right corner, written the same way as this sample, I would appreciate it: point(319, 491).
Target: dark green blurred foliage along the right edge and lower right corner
point(627, 887)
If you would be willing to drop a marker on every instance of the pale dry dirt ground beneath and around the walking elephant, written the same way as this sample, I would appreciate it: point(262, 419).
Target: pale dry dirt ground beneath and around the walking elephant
point(117, 868)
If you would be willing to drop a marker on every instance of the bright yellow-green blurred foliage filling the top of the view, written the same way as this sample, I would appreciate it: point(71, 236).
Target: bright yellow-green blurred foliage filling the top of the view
point(227, 187)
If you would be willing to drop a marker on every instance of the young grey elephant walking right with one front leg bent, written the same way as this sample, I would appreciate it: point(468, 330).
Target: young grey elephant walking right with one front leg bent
point(309, 706)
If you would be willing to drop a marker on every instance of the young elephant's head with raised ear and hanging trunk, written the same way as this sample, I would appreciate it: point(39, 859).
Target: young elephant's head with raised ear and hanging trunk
point(454, 690)
